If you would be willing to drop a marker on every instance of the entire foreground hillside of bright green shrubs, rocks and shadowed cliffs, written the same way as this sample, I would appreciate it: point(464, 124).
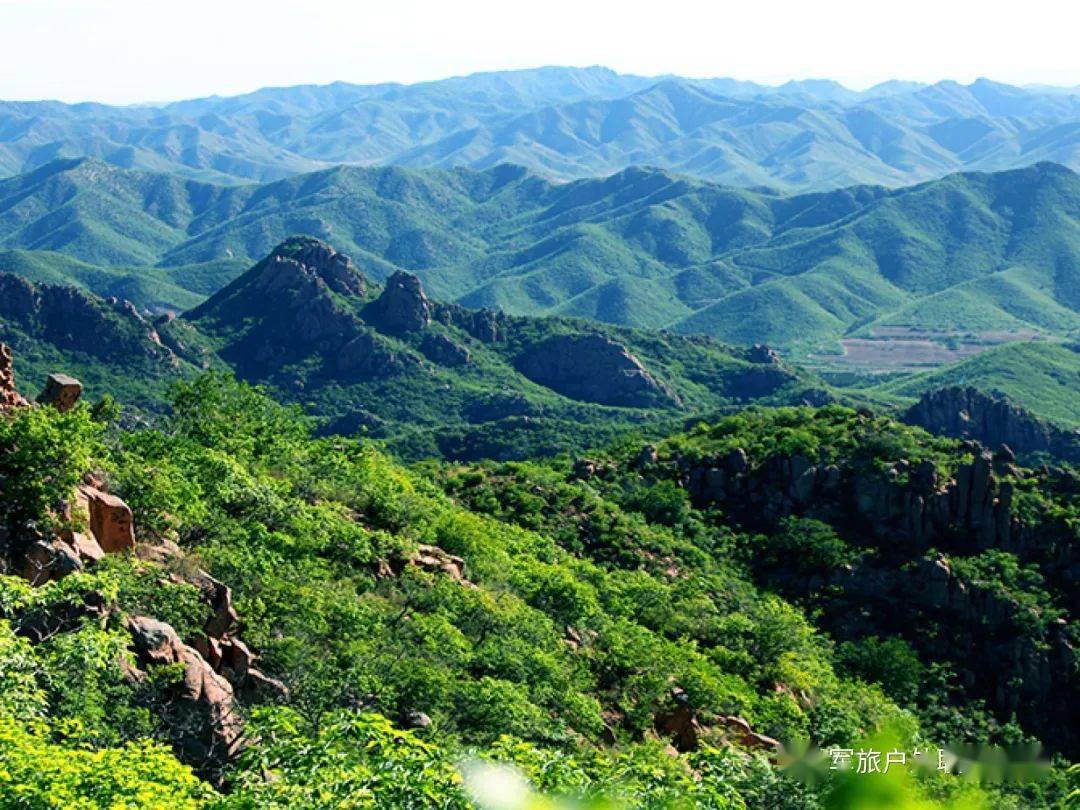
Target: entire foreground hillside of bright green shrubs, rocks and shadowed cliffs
point(634, 630)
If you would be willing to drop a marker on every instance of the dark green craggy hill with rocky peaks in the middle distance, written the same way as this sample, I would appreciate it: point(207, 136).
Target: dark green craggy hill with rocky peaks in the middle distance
point(431, 380)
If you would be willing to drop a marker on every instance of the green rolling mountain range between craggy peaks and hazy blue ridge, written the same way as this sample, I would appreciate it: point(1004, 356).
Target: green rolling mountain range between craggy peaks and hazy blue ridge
point(970, 253)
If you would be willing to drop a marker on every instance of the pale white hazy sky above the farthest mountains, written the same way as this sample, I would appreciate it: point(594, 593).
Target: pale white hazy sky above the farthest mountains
point(125, 51)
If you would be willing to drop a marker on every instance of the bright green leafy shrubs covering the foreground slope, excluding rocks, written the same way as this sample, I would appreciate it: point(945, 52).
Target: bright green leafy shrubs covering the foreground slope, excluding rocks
point(585, 602)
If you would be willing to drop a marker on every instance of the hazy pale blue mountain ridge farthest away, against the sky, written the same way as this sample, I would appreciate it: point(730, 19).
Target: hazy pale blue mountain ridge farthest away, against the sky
point(570, 124)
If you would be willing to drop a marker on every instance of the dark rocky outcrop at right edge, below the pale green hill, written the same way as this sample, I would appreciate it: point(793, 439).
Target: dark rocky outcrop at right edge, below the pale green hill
point(967, 413)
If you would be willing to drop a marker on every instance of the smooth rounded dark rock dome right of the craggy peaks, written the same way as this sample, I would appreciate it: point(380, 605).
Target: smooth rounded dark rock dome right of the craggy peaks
point(593, 369)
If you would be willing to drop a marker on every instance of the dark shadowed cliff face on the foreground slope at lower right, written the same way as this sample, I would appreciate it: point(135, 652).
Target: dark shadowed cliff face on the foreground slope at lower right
point(906, 510)
